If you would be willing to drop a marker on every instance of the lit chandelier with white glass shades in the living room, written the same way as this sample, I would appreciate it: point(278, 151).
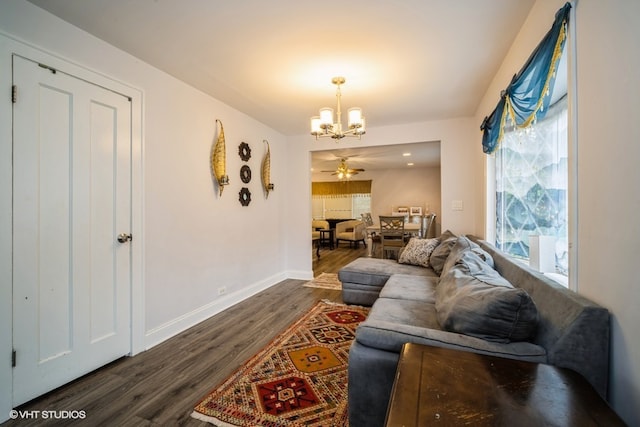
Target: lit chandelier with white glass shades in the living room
point(324, 125)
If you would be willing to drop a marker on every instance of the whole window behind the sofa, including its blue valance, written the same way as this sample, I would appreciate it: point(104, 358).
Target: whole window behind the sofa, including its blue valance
point(529, 130)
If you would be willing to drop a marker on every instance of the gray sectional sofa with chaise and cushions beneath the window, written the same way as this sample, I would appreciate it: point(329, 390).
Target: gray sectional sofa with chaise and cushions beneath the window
point(526, 316)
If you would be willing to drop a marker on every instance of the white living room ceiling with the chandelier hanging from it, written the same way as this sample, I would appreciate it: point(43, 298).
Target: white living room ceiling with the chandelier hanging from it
point(404, 60)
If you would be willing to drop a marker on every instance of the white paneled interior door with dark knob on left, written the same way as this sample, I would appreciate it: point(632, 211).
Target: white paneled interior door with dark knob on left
point(72, 198)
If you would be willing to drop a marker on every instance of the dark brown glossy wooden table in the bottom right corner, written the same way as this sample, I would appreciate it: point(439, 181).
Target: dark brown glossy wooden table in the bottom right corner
point(438, 386)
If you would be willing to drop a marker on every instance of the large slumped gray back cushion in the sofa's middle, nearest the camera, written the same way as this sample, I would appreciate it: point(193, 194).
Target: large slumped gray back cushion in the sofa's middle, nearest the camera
point(473, 299)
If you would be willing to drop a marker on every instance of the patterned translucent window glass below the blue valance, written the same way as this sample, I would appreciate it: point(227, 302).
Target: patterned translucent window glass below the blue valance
point(532, 186)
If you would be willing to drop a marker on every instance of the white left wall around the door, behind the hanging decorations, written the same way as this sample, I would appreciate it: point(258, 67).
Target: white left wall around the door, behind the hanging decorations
point(193, 241)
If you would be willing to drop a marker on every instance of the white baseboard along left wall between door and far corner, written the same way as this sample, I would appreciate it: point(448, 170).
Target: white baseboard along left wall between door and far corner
point(180, 324)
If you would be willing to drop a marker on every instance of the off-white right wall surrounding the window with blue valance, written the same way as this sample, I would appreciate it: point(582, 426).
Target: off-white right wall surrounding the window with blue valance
point(608, 194)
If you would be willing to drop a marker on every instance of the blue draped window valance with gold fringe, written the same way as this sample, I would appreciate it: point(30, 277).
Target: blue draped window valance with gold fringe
point(527, 97)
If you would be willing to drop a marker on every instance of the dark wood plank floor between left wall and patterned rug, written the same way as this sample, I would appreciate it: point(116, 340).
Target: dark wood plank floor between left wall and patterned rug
point(162, 385)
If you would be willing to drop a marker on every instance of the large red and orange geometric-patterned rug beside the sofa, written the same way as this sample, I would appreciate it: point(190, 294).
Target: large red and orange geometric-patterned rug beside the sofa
point(299, 379)
